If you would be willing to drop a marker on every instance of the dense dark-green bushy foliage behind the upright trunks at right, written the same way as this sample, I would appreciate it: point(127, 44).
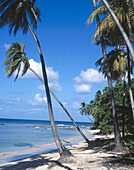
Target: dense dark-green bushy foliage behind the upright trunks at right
point(101, 110)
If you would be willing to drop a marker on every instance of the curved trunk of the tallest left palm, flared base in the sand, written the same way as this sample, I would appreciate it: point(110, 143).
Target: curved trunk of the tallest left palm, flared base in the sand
point(63, 151)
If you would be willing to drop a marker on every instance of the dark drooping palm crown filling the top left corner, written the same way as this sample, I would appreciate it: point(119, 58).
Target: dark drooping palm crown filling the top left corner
point(18, 13)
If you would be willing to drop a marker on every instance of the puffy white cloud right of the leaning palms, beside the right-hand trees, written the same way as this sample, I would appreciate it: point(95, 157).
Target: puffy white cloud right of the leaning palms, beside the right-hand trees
point(84, 81)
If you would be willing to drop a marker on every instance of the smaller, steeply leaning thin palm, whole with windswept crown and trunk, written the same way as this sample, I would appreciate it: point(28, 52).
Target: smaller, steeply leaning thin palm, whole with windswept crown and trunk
point(16, 55)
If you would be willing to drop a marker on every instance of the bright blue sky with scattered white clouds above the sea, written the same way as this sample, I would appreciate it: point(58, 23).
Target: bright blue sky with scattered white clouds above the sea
point(70, 56)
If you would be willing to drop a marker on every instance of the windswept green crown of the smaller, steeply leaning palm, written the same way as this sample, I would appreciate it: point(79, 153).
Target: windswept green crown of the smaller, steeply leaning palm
point(15, 56)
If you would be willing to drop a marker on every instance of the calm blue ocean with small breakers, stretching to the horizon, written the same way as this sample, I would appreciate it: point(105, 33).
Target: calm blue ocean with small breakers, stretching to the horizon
point(16, 134)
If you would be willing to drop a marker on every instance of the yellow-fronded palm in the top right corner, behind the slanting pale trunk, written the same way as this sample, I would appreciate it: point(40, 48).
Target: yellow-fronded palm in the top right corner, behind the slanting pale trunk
point(108, 27)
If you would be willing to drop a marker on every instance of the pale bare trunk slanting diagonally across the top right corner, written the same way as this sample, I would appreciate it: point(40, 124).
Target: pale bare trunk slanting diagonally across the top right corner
point(120, 28)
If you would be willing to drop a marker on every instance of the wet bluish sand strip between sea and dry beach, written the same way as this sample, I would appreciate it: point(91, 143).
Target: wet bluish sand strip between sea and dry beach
point(7, 157)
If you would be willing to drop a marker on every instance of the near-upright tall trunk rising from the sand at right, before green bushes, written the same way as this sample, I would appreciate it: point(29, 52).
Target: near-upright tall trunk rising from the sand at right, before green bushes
point(118, 143)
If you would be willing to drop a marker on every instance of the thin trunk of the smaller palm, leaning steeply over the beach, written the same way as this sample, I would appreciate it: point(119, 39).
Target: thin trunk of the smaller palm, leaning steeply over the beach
point(77, 127)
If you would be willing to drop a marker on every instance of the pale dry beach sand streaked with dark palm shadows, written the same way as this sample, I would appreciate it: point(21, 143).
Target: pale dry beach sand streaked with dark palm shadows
point(85, 158)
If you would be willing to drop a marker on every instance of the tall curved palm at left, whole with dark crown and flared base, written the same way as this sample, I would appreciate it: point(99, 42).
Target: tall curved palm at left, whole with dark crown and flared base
point(19, 14)
